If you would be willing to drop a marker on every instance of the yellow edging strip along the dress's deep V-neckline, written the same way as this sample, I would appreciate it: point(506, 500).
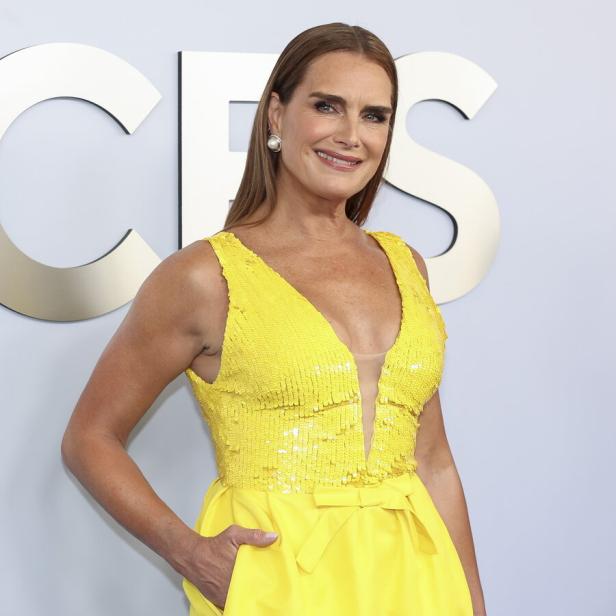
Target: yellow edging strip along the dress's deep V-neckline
point(342, 345)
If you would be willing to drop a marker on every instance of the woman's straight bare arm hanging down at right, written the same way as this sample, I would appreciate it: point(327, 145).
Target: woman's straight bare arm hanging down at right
point(438, 471)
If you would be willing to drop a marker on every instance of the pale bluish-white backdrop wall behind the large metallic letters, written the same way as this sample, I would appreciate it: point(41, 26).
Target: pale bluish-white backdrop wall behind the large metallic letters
point(525, 389)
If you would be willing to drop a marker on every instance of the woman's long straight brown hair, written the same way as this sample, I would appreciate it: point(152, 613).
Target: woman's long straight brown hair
point(258, 182)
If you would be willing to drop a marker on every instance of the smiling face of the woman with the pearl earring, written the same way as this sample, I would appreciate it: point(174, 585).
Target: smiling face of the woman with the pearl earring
point(342, 107)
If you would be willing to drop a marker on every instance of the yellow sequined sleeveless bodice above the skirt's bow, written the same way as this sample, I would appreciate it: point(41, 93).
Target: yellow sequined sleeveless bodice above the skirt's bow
point(285, 410)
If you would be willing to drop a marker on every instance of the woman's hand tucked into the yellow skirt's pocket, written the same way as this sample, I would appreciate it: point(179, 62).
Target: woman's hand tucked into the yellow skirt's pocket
point(212, 559)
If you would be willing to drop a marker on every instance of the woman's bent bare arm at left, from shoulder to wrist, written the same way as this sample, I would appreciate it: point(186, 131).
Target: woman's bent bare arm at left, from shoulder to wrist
point(157, 340)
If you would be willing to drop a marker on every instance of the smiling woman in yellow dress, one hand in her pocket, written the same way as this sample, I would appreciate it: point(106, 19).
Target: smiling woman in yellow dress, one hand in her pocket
point(279, 322)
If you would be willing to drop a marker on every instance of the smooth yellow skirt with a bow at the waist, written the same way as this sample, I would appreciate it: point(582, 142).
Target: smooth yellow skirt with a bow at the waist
point(359, 551)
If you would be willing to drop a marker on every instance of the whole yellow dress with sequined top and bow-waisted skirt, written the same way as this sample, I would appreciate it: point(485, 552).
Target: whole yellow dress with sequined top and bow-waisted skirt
point(357, 535)
